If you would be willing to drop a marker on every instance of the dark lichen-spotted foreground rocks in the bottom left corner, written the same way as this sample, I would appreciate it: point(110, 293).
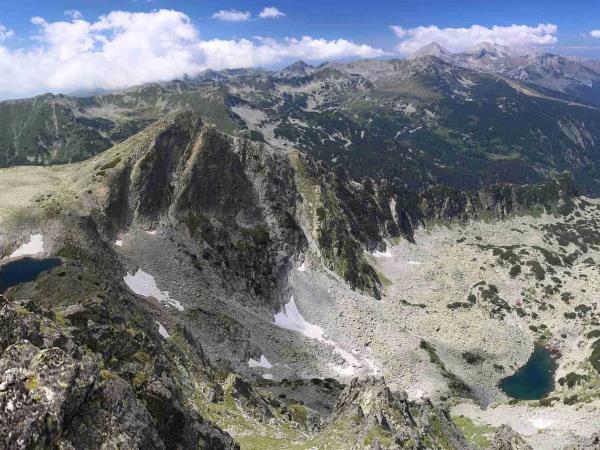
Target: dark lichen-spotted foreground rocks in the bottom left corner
point(55, 391)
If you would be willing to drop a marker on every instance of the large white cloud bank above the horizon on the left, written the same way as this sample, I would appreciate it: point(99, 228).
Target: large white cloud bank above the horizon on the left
point(123, 49)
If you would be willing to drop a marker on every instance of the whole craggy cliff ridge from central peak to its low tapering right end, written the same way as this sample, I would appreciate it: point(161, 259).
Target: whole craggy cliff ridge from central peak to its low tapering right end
point(249, 209)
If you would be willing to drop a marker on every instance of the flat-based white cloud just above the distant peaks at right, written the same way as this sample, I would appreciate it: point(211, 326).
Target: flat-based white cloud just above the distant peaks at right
point(460, 39)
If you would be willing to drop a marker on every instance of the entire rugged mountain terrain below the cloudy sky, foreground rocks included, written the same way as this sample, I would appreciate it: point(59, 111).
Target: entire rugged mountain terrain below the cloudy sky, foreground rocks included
point(357, 255)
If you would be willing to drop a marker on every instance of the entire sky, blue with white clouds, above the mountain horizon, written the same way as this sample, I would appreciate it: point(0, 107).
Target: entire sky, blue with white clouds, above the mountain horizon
point(116, 43)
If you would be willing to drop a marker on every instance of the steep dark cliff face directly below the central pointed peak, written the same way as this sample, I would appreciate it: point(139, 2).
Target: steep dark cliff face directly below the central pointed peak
point(232, 202)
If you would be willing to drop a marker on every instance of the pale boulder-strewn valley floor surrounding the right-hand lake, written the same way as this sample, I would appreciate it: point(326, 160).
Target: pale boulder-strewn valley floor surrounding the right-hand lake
point(457, 290)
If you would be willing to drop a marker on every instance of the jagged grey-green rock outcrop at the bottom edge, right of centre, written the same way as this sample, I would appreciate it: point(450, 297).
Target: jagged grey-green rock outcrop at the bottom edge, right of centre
point(382, 419)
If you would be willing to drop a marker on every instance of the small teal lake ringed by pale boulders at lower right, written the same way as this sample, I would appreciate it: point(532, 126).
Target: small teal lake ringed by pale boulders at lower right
point(534, 380)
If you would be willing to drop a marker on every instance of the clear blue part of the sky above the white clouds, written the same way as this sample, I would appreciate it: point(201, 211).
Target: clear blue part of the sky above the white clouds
point(357, 20)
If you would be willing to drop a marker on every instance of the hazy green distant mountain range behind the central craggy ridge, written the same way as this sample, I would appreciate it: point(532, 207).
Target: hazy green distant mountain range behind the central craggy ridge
point(465, 120)
